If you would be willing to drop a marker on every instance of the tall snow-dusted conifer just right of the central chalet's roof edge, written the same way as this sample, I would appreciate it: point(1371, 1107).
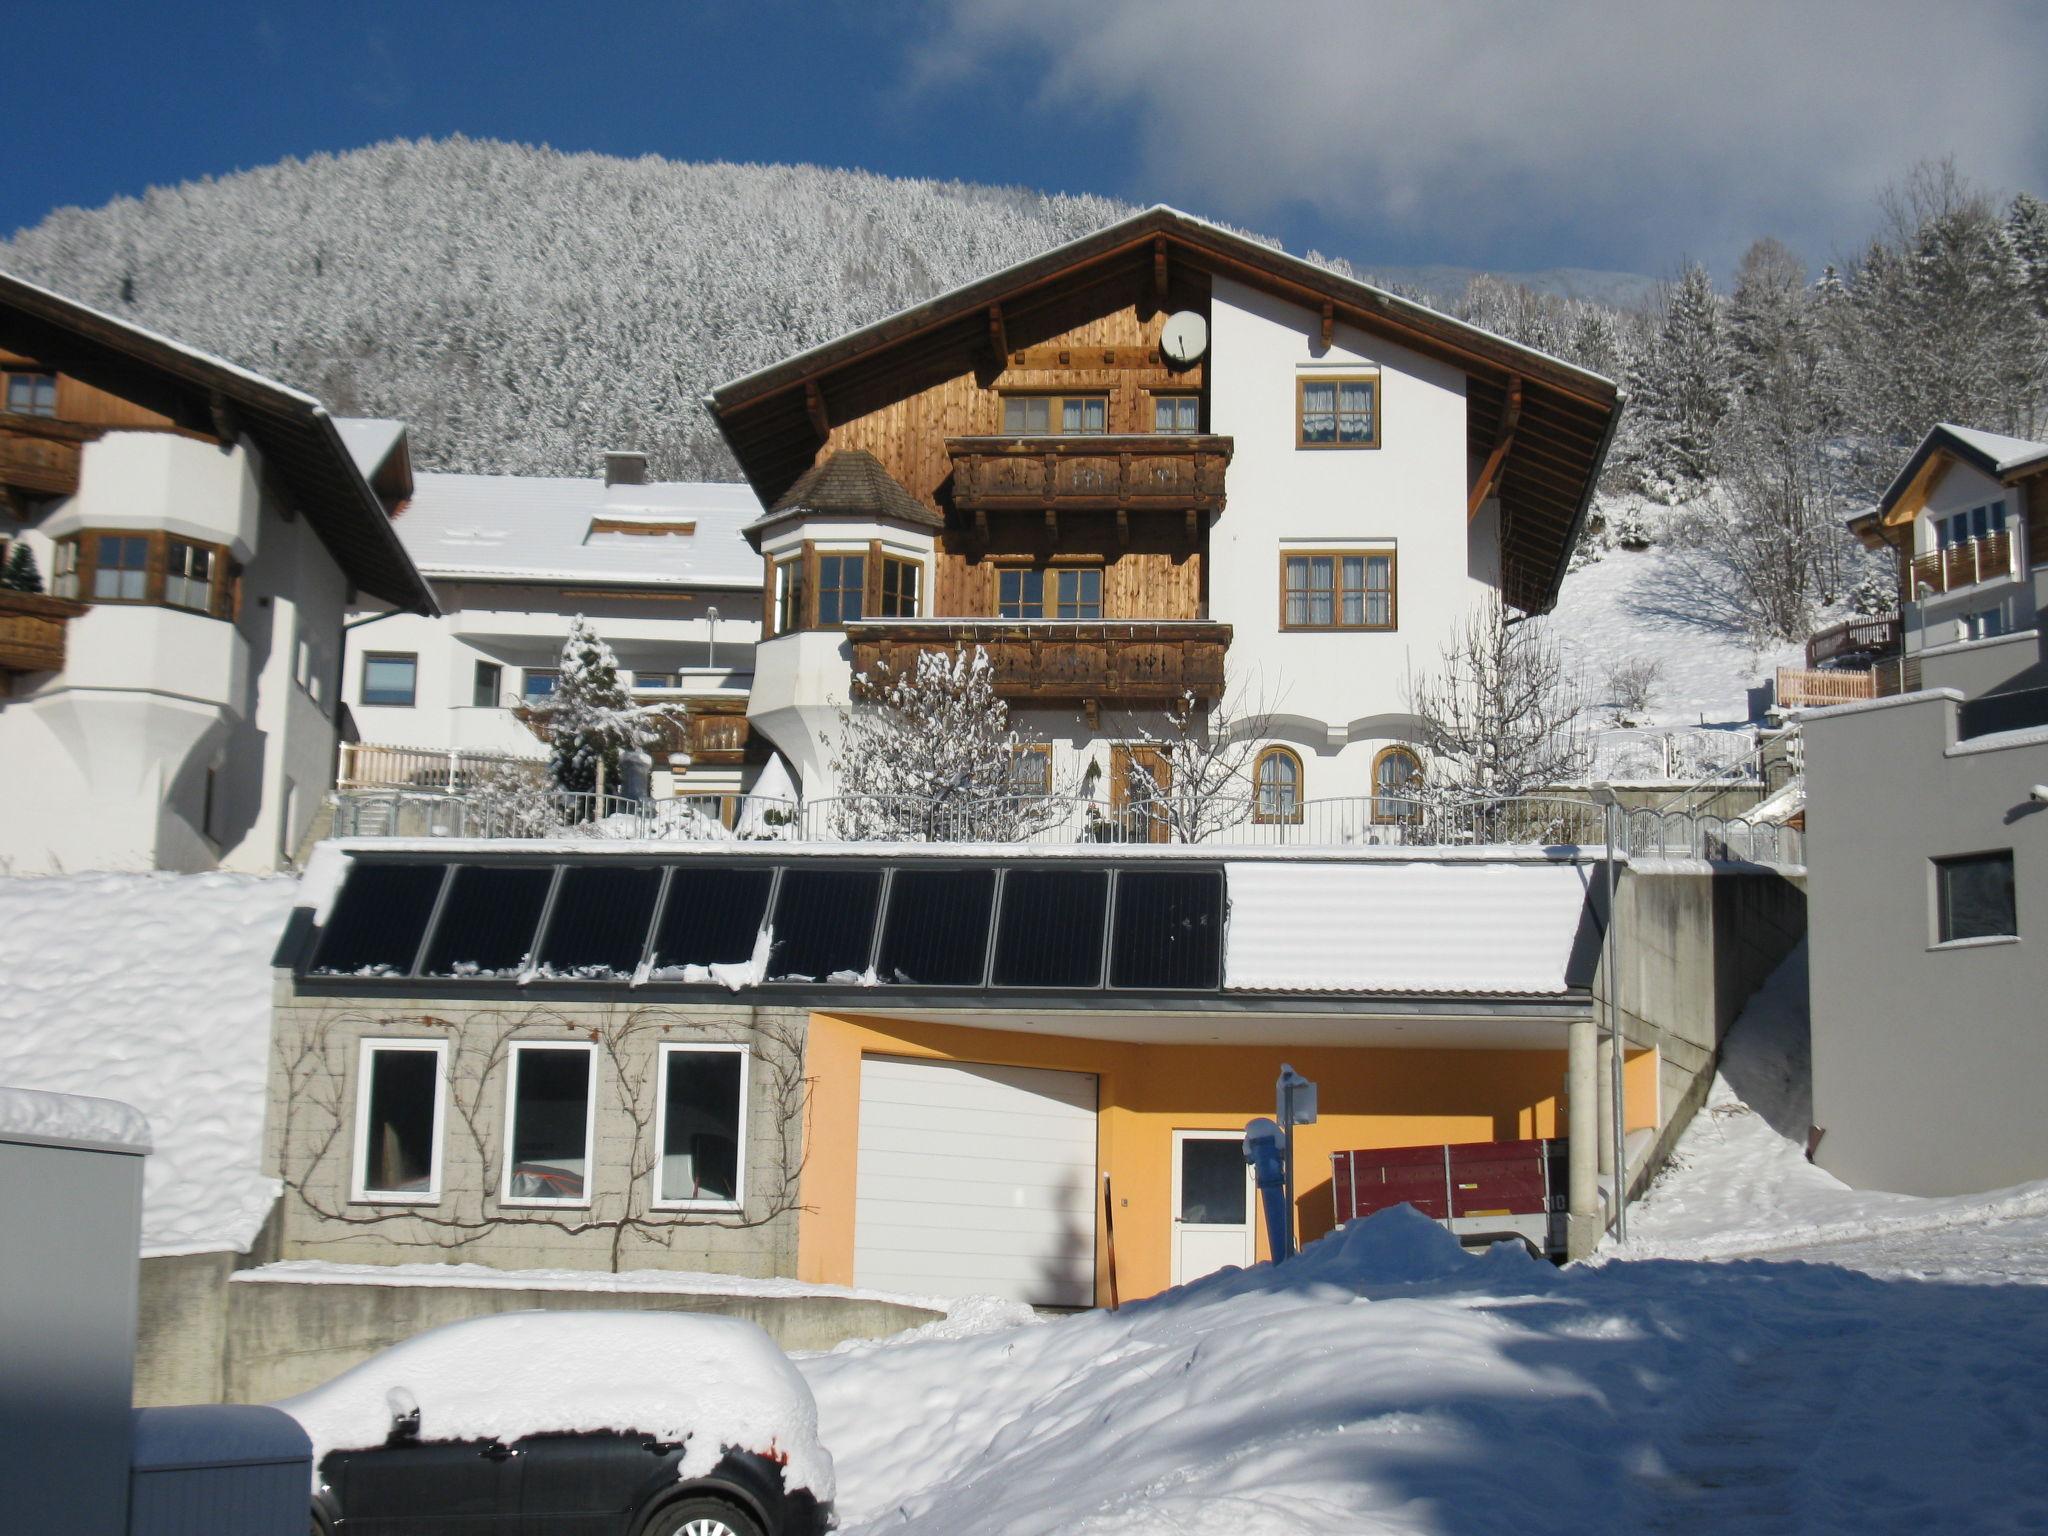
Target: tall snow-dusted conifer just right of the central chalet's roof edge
point(1684, 390)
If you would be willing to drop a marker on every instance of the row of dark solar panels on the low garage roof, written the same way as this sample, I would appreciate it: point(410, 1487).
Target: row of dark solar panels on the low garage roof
point(955, 927)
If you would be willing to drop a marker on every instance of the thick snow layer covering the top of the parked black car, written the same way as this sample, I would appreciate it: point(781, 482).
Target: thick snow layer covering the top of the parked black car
point(720, 1383)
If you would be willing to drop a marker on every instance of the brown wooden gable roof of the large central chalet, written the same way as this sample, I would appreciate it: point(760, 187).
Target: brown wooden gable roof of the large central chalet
point(1568, 417)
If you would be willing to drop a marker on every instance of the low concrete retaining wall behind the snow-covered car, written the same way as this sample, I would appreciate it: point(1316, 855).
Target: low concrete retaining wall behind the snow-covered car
point(286, 1336)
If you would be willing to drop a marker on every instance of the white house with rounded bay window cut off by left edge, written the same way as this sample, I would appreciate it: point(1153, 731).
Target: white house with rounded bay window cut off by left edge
point(171, 699)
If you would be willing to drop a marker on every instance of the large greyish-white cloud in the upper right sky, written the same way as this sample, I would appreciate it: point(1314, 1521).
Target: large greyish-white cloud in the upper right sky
point(1611, 134)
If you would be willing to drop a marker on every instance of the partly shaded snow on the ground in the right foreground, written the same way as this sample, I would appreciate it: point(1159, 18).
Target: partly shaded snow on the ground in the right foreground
point(1390, 1383)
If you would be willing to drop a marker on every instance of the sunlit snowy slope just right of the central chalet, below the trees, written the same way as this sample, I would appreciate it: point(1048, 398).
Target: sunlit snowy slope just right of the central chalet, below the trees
point(1662, 605)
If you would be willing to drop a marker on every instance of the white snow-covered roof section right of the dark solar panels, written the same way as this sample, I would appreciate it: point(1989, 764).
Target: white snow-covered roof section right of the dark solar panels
point(1502, 929)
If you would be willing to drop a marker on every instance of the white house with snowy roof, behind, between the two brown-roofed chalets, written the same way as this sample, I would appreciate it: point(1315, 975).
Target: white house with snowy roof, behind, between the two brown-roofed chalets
point(660, 570)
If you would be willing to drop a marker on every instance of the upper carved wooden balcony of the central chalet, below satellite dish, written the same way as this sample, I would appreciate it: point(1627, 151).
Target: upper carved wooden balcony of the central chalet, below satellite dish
point(1089, 474)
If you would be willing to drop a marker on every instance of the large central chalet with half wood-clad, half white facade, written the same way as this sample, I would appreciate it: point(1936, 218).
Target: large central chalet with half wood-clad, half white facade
point(1158, 462)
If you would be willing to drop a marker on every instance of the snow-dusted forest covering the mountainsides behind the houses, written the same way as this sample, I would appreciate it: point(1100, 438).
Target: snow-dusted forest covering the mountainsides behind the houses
point(527, 310)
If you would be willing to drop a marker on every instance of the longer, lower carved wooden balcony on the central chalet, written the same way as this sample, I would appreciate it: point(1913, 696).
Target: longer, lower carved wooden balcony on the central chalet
point(1125, 660)
